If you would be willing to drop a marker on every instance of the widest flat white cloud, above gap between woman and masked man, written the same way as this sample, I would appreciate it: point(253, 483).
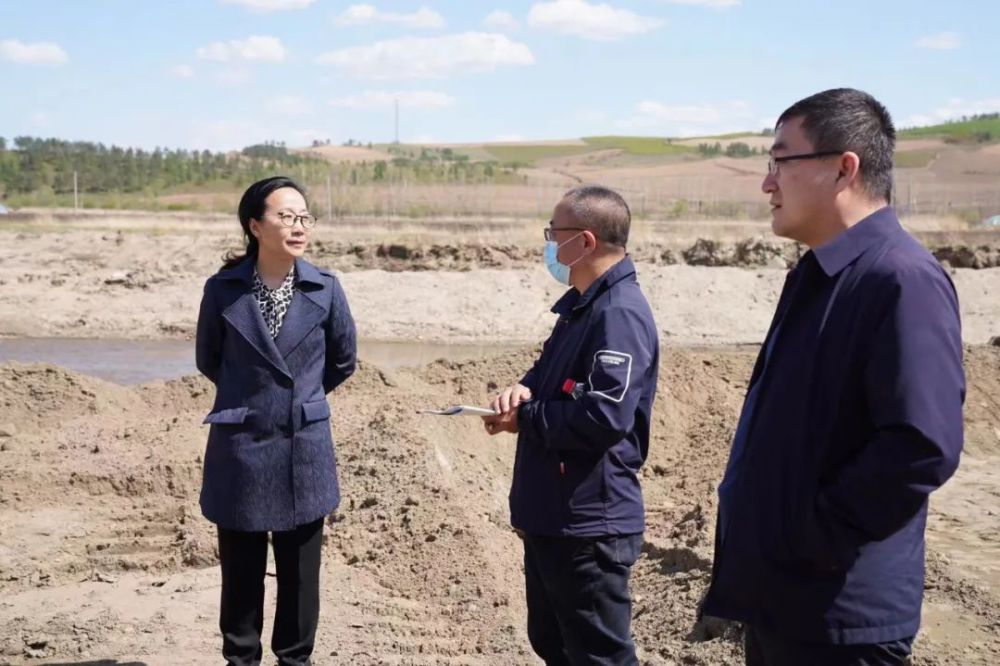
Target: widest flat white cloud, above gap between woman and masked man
point(432, 57)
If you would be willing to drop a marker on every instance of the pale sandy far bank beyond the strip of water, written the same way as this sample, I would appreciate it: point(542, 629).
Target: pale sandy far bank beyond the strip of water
point(438, 284)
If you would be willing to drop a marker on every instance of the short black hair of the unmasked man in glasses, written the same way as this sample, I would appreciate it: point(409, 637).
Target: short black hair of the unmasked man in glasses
point(851, 120)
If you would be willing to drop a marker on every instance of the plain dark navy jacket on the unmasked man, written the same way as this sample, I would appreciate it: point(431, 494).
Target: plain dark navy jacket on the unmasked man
point(853, 416)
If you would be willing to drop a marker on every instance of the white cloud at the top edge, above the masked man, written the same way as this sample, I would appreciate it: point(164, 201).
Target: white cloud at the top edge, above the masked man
point(599, 22)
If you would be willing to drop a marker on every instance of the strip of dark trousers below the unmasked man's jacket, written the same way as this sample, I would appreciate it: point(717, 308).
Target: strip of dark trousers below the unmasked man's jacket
point(765, 649)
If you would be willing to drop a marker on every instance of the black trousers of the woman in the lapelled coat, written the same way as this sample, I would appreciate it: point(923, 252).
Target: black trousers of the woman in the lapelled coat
point(243, 556)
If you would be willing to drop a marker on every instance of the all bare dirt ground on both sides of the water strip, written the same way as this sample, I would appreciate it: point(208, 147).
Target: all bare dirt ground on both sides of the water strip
point(104, 554)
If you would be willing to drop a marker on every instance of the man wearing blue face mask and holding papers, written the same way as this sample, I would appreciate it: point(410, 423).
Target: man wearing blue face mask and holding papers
point(582, 419)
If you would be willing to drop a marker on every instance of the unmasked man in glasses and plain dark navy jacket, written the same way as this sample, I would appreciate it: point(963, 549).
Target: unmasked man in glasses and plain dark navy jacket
point(854, 411)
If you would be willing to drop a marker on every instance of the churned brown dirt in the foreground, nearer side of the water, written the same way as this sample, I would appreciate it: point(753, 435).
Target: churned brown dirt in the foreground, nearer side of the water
point(106, 554)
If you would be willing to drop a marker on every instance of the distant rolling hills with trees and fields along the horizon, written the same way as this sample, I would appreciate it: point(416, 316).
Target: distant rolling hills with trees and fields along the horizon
point(949, 166)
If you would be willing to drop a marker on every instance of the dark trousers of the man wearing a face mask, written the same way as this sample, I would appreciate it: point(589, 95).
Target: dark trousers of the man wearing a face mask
point(579, 608)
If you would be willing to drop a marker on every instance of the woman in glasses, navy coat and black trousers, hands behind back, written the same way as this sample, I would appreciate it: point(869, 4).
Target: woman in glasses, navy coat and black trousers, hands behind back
point(275, 335)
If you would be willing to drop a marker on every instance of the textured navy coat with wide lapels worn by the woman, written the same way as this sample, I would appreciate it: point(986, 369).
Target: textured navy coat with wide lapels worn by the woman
point(270, 464)
